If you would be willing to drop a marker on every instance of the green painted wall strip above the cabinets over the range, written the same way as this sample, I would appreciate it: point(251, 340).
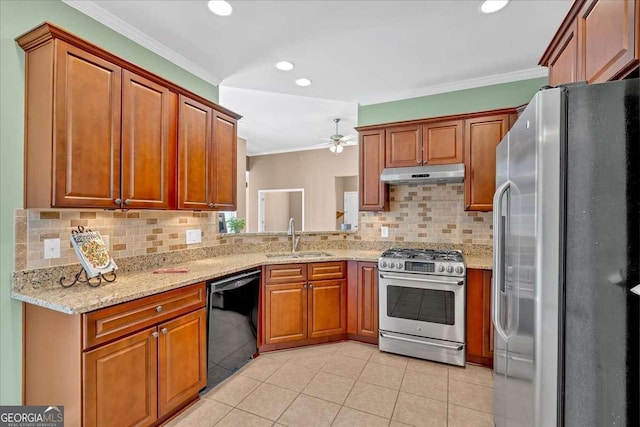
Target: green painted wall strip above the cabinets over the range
point(463, 101)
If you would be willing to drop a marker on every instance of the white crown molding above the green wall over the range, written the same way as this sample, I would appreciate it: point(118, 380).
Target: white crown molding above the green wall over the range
point(494, 79)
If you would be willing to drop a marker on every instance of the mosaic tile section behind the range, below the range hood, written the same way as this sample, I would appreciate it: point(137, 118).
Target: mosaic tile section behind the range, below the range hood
point(428, 213)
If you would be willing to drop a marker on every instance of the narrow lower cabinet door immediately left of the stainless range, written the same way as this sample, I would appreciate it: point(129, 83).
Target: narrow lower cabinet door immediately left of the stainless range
point(368, 300)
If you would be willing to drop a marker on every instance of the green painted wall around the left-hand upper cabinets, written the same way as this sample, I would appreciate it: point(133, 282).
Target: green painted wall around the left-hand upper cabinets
point(17, 17)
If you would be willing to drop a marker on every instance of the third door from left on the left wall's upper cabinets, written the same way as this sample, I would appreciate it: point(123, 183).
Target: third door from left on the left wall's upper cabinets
point(194, 154)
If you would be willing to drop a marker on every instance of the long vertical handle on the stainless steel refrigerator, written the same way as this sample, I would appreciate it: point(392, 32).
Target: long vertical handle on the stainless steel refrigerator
point(498, 255)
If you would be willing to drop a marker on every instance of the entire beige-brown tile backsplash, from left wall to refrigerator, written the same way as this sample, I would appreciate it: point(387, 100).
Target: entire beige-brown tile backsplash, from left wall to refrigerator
point(418, 214)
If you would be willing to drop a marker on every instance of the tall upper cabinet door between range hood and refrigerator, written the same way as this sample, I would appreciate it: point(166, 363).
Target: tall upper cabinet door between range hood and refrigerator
point(482, 136)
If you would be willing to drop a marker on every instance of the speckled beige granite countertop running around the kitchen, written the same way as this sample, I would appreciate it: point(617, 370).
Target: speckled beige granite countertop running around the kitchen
point(129, 286)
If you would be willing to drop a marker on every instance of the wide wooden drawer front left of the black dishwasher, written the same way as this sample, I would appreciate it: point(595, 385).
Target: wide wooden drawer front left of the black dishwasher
point(110, 323)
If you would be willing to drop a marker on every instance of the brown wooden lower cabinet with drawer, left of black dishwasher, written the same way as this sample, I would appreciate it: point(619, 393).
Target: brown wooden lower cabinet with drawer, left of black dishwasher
point(140, 376)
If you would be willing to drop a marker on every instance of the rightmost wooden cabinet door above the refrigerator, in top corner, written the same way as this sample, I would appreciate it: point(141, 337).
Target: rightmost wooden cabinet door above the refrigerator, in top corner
point(607, 34)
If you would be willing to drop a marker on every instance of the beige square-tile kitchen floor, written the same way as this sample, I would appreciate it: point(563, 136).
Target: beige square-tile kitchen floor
point(346, 384)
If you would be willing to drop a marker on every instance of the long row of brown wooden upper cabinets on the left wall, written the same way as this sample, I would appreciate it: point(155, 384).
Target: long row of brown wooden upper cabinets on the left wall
point(102, 132)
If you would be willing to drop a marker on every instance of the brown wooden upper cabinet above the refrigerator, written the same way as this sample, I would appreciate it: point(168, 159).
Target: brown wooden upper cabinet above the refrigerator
point(599, 40)
